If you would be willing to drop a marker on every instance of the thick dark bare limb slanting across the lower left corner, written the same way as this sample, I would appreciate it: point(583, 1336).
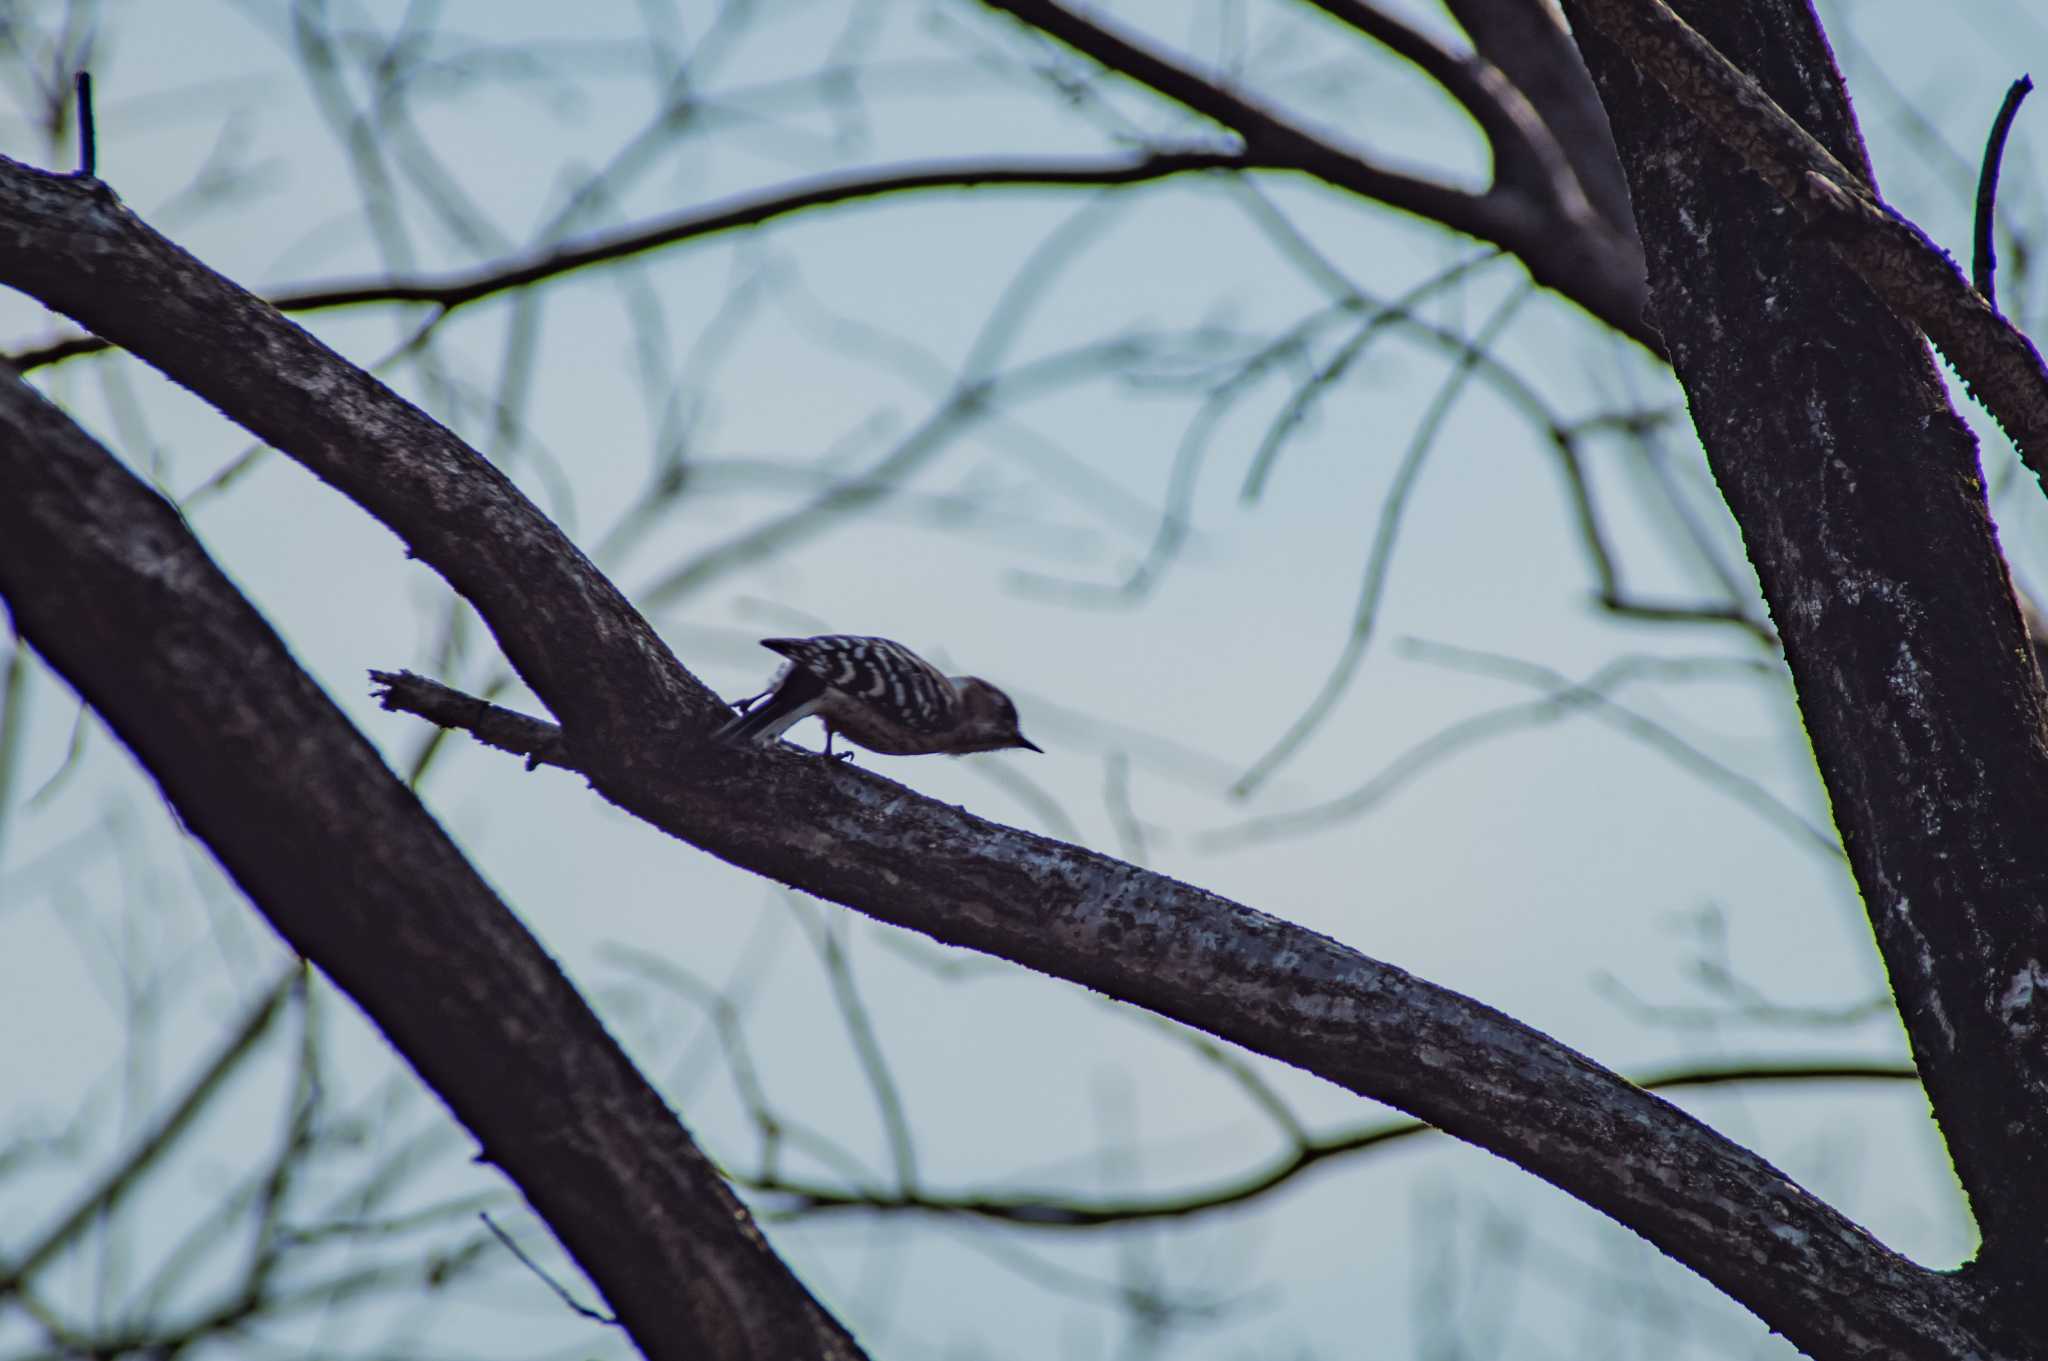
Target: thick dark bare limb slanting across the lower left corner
point(110, 586)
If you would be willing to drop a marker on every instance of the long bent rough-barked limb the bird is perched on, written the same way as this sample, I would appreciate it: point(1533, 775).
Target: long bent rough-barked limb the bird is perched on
point(632, 719)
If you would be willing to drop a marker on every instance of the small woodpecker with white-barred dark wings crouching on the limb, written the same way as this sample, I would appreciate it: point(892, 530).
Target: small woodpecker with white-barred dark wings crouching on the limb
point(878, 695)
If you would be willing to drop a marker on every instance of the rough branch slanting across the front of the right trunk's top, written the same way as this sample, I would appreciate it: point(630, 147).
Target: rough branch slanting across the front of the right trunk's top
point(1895, 259)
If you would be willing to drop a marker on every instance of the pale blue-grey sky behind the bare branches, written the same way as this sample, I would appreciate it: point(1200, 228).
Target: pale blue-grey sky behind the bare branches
point(1547, 871)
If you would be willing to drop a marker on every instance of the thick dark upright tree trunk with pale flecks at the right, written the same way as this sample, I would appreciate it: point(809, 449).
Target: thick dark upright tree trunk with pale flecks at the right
point(1863, 509)
